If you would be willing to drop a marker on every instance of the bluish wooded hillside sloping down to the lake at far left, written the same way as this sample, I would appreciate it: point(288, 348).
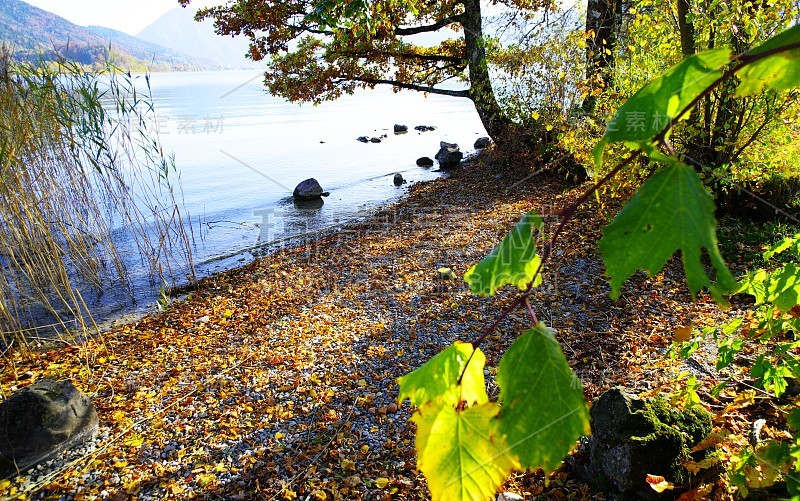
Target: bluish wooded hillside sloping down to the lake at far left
point(34, 33)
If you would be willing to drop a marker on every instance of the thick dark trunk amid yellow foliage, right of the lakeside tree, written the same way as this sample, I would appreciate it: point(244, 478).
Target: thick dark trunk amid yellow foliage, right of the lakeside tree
point(603, 20)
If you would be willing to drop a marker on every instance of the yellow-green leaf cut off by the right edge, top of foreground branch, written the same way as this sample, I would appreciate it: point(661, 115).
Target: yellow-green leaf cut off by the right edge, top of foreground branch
point(778, 71)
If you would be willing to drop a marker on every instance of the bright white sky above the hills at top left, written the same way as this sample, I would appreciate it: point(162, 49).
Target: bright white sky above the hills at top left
point(121, 15)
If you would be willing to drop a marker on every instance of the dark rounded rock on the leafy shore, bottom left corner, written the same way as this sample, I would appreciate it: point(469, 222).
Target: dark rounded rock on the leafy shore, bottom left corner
point(40, 421)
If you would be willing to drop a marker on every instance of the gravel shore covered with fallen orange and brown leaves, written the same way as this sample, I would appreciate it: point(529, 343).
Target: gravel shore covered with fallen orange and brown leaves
point(278, 379)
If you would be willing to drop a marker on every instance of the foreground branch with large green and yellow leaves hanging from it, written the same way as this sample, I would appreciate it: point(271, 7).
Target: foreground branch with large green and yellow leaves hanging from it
point(467, 444)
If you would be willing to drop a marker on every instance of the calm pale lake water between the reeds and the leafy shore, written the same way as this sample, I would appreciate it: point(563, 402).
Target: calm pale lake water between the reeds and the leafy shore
point(240, 152)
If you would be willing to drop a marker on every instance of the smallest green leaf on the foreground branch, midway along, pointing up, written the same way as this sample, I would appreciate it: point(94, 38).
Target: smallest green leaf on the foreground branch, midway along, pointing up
point(512, 262)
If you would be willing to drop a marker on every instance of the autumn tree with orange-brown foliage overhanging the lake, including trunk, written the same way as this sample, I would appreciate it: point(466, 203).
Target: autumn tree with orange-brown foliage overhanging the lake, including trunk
point(319, 50)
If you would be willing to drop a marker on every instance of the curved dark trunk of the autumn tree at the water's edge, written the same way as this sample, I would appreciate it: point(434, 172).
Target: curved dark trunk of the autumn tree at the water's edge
point(497, 124)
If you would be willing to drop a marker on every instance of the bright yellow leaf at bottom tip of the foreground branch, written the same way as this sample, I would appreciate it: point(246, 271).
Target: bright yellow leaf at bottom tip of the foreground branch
point(461, 453)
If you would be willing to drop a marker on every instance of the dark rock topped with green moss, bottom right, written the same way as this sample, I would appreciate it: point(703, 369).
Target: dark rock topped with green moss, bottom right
point(633, 437)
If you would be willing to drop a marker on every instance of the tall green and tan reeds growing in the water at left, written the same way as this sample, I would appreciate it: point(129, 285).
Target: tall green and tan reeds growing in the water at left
point(81, 170)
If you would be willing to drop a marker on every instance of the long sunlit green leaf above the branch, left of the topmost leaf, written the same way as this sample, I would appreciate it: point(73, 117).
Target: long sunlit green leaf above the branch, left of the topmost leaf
point(645, 114)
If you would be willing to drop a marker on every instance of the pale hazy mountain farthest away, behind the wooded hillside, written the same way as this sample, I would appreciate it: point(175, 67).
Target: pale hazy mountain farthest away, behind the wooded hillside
point(178, 30)
